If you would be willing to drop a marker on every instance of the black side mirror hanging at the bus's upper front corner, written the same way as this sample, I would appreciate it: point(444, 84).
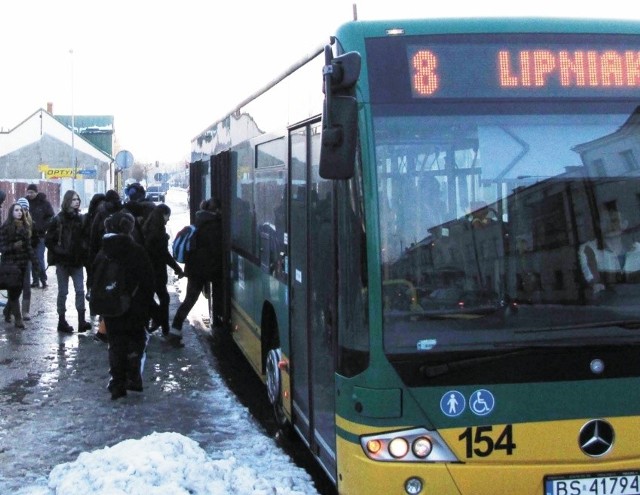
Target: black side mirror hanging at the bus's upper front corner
point(340, 115)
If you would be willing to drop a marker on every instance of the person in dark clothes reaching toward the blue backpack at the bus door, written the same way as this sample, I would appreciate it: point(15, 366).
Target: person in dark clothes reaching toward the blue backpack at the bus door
point(156, 243)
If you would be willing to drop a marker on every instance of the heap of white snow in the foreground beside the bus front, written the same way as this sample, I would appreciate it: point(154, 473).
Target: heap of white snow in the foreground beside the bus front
point(172, 464)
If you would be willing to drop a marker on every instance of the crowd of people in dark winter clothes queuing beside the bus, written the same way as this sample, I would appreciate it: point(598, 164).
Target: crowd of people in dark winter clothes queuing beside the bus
point(133, 234)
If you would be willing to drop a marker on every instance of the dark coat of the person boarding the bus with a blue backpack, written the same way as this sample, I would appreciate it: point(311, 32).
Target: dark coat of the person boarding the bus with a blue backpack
point(206, 260)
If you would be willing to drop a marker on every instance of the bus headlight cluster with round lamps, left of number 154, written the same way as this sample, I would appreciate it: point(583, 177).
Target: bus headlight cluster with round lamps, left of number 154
point(418, 444)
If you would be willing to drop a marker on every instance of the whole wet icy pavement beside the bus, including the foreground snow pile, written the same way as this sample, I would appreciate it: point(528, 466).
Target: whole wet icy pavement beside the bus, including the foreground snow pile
point(187, 433)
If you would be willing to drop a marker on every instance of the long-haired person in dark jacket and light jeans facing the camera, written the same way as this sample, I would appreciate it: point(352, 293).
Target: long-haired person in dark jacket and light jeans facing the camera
point(67, 250)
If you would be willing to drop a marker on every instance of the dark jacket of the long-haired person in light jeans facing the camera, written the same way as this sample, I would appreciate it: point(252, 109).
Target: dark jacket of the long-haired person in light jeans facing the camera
point(65, 240)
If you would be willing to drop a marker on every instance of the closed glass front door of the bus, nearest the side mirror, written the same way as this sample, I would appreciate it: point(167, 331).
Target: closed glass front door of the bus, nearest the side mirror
point(312, 308)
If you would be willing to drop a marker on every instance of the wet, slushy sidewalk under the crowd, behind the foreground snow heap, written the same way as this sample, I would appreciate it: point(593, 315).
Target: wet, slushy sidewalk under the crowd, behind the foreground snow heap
point(53, 398)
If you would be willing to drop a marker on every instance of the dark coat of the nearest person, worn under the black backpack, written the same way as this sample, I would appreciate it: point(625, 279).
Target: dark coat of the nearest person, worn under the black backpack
point(137, 264)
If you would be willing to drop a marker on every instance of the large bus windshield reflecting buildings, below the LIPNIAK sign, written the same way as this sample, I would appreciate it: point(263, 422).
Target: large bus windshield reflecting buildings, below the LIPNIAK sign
point(506, 229)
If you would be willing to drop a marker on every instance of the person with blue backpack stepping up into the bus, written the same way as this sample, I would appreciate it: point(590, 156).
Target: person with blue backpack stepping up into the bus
point(203, 264)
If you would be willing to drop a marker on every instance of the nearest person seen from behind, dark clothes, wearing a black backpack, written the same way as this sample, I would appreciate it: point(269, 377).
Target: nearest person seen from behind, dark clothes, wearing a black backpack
point(122, 293)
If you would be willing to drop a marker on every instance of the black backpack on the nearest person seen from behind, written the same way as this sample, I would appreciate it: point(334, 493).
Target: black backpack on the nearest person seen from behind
point(109, 295)
